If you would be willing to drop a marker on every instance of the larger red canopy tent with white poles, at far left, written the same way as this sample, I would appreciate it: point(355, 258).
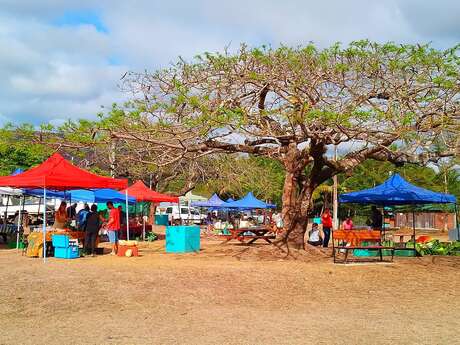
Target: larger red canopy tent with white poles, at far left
point(58, 174)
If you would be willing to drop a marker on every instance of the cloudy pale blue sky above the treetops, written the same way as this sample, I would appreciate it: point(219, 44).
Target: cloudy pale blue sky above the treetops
point(64, 59)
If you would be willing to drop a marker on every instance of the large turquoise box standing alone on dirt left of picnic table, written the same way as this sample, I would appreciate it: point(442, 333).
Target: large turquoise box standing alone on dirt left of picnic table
point(182, 239)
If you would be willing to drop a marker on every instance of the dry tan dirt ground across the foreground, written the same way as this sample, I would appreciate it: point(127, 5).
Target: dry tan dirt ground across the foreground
point(227, 294)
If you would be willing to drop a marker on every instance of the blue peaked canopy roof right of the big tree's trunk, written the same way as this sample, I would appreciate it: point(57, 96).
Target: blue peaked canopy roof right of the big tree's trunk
point(396, 191)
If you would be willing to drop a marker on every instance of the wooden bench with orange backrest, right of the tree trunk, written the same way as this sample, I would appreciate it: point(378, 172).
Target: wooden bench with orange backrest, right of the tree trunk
point(355, 238)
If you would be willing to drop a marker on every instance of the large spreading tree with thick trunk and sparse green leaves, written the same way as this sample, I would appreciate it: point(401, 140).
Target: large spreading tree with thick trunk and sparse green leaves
point(387, 102)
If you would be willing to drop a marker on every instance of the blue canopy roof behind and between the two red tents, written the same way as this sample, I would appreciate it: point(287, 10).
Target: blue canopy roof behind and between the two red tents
point(95, 196)
